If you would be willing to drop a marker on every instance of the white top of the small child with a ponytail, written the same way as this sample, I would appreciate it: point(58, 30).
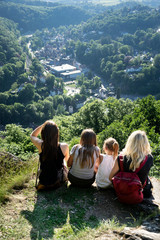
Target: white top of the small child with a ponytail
point(104, 169)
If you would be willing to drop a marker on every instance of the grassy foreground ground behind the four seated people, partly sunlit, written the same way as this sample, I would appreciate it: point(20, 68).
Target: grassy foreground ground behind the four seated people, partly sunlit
point(67, 213)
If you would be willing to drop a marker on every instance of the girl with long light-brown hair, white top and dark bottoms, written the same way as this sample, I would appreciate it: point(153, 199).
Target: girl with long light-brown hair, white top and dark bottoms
point(82, 160)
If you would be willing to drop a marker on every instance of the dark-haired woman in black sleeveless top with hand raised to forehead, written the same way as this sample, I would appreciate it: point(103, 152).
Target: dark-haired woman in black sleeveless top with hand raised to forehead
point(52, 154)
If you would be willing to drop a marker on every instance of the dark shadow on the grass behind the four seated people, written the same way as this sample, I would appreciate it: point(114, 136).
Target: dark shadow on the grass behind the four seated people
point(77, 209)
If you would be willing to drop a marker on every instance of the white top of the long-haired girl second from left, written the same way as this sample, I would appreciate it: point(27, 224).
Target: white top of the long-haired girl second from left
point(76, 170)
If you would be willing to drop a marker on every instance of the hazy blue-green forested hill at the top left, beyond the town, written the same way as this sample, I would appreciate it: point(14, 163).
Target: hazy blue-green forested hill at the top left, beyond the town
point(31, 18)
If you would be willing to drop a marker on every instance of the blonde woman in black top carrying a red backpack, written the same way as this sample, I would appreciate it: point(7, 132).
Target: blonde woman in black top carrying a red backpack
point(134, 153)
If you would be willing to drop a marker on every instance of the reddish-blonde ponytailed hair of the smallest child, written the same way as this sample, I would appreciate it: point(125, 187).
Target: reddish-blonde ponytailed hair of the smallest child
point(112, 145)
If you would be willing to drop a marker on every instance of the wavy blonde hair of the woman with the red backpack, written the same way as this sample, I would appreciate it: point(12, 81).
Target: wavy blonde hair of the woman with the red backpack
point(137, 147)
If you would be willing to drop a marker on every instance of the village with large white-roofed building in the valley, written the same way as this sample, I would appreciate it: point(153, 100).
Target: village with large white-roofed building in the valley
point(55, 61)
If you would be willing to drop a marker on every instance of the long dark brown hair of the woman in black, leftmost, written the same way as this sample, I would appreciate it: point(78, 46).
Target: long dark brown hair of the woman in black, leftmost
point(50, 137)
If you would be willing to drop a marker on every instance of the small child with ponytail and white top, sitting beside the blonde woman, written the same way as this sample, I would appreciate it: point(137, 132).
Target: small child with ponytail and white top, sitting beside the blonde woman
point(105, 162)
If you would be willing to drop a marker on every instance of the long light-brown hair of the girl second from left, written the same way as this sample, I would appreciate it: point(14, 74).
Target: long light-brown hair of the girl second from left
point(86, 154)
